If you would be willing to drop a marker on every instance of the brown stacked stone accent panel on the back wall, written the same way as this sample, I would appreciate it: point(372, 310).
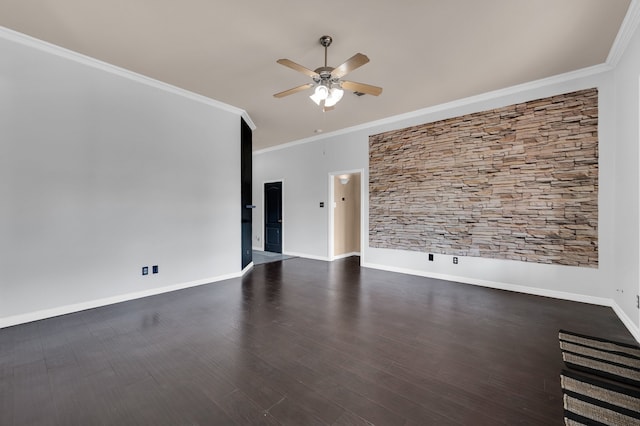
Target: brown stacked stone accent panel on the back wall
point(519, 182)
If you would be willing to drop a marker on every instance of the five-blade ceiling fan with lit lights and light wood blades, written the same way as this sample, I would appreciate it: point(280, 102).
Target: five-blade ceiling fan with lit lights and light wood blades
point(328, 81)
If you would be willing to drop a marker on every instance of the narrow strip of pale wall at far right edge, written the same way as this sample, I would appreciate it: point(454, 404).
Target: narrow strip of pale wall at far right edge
point(627, 189)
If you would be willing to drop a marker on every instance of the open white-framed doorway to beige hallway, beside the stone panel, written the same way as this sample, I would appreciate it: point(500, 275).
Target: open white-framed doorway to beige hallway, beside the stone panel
point(345, 217)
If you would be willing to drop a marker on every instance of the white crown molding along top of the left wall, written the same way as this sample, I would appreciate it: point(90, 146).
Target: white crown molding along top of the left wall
point(25, 40)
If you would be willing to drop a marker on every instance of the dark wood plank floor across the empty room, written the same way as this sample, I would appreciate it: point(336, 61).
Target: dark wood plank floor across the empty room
point(299, 342)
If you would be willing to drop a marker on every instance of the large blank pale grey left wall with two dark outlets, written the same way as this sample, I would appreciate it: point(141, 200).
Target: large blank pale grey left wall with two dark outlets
point(101, 174)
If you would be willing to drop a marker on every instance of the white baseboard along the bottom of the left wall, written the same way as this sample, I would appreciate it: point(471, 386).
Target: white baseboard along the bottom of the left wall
point(77, 307)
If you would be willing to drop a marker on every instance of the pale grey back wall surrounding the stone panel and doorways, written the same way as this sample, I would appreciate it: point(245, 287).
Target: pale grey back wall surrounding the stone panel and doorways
point(304, 167)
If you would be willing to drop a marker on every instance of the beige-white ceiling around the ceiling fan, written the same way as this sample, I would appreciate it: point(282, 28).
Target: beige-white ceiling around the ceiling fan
point(423, 52)
